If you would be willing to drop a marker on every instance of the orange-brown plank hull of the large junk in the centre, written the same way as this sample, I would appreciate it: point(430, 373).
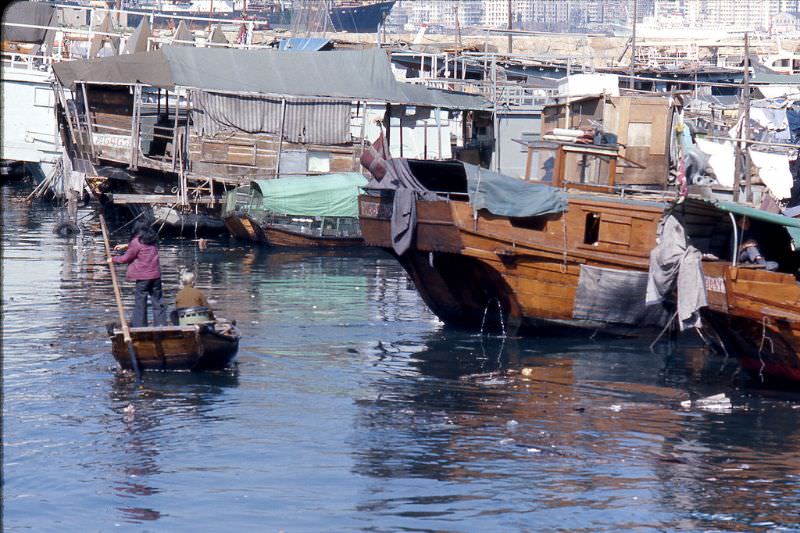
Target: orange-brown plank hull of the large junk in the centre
point(471, 270)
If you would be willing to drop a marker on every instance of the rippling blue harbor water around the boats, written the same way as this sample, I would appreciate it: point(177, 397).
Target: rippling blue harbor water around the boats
point(352, 408)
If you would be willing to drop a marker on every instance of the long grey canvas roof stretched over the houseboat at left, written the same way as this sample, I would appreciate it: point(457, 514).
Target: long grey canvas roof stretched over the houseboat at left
point(346, 74)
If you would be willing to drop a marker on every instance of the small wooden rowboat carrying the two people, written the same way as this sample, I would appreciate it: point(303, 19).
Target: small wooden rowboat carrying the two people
point(169, 348)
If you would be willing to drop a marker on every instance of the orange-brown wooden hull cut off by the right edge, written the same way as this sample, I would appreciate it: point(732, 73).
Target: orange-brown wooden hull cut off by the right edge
point(756, 318)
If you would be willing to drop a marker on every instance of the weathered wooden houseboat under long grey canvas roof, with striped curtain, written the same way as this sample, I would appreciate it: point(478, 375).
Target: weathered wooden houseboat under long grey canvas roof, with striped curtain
point(178, 126)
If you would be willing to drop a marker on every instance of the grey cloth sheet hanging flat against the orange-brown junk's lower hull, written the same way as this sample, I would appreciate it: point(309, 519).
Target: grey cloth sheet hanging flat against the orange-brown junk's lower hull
point(615, 296)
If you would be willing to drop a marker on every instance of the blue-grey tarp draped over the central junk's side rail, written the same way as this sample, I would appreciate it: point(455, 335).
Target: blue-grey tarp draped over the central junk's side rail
point(511, 197)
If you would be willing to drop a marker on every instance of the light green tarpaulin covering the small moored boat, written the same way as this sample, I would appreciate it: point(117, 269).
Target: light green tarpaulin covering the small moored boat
point(329, 195)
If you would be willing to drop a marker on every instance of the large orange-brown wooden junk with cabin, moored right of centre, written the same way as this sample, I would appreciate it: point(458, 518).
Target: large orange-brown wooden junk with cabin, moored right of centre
point(571, 248)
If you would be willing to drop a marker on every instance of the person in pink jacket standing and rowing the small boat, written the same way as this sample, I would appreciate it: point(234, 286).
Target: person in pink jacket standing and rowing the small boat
point(144, 268)
